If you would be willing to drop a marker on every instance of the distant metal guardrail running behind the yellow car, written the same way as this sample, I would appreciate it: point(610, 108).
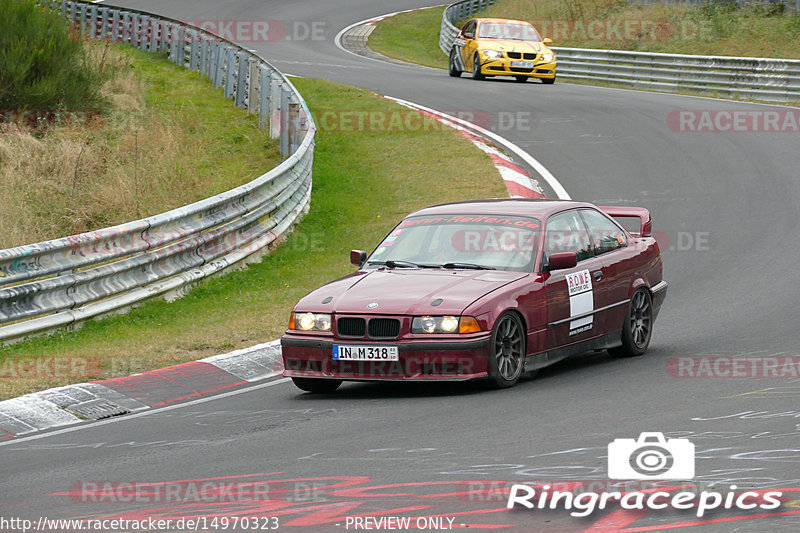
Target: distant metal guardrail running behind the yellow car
point(772, 80)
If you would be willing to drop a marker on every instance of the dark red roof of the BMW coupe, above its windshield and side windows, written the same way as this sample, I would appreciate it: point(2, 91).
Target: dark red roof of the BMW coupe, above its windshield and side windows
point(502, 206)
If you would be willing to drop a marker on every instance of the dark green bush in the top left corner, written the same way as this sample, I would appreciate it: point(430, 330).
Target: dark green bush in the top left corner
point(42, 64)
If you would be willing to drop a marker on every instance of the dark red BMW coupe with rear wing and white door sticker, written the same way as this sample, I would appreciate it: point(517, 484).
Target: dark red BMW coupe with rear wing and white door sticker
point(481, 290)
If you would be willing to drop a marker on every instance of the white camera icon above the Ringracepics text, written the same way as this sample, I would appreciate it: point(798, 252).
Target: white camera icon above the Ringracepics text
point(651, 456)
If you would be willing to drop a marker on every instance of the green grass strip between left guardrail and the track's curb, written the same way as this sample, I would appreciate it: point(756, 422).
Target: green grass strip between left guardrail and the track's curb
point(365, 180)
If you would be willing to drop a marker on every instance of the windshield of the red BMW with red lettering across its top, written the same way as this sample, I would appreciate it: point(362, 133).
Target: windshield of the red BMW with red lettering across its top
point(492, 242)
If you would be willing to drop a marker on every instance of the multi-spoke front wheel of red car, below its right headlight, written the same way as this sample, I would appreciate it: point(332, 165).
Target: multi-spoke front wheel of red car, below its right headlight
point(506, 351)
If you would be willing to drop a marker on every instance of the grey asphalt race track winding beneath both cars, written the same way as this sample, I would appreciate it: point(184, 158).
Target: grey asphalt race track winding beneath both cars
point(728, 204)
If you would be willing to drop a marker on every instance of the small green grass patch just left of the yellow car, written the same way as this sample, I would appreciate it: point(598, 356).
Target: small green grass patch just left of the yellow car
point(412, 37)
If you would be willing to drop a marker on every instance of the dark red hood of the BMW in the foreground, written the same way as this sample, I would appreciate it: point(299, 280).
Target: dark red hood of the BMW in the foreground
point(405, 291)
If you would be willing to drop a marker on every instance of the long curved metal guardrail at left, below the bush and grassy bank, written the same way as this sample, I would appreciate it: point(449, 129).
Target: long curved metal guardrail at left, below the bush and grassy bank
point(51, 285)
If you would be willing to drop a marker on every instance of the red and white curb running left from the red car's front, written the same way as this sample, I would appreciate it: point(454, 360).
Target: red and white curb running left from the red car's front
point(71, 404)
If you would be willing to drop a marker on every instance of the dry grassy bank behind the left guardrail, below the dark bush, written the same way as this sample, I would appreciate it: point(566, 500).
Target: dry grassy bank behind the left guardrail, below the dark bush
point(167, 139)
